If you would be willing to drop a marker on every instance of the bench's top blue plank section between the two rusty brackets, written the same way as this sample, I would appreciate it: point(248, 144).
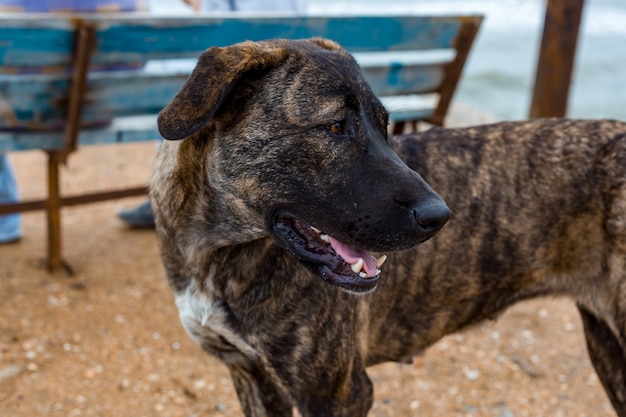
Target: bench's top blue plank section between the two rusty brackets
point(354, 33)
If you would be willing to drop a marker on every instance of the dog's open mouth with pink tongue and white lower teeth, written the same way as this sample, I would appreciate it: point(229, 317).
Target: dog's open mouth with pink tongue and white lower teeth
point(336, 262)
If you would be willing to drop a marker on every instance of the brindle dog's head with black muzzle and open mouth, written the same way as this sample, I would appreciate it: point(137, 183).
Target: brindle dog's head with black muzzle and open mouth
point(294, 145)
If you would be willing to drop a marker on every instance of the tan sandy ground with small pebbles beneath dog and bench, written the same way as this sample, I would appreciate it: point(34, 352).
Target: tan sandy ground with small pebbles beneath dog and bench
point(107, 341)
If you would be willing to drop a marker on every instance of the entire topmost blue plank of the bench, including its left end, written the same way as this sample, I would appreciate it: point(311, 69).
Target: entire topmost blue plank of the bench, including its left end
point(124, 38)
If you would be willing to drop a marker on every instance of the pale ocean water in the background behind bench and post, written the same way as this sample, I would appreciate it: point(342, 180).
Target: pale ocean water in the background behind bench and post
point(499, 74)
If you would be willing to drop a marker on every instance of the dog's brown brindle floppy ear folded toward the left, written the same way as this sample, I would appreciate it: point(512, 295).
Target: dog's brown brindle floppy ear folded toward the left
point(216, 74)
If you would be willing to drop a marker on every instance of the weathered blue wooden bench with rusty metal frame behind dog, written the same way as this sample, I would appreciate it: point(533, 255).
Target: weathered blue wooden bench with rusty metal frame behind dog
point(412, 62)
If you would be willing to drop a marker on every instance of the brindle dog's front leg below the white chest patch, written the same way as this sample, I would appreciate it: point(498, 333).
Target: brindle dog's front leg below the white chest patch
point(258, 395)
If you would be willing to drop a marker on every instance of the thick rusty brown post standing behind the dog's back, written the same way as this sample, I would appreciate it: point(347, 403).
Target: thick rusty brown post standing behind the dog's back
point(556, 58)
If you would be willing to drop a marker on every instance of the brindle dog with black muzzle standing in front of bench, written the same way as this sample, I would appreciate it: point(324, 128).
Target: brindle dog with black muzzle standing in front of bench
point(286, 175)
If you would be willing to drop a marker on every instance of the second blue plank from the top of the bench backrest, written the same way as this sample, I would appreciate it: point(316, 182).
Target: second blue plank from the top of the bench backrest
point(33, 99)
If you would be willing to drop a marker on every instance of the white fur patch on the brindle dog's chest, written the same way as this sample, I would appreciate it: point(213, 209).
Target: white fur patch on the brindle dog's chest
point(205, 319)
